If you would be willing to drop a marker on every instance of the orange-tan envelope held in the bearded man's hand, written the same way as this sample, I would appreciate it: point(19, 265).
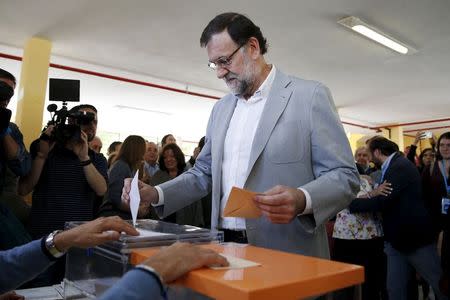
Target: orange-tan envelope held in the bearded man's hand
point(240, 204)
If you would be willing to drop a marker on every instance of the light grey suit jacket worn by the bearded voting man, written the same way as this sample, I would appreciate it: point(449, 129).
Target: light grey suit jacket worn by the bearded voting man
point(299, 142)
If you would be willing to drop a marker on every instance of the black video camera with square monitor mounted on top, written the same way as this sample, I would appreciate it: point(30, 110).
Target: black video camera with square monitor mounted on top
point(64, 90)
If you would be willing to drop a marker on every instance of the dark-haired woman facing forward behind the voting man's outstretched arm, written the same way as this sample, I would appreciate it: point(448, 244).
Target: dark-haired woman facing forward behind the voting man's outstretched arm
point(171, 164)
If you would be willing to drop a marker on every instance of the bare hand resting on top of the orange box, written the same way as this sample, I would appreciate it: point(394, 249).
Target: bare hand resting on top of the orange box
point(180, 258)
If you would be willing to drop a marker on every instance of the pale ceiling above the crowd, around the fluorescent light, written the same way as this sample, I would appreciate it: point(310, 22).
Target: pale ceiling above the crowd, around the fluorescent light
point(371, 85)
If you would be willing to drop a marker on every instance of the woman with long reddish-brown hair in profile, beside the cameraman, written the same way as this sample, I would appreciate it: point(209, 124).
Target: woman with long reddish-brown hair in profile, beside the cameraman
point(128, 161)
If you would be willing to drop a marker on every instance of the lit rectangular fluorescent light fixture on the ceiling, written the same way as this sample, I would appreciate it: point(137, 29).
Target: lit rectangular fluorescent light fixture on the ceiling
point(375, 34)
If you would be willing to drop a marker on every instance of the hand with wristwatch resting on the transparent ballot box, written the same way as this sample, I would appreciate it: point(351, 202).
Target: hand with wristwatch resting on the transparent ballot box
point(93, 233)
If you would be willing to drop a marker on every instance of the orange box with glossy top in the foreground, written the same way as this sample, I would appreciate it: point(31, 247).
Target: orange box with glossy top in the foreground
point(280, 275)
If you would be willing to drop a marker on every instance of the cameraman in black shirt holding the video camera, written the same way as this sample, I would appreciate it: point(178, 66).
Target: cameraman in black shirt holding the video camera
point(67, 178)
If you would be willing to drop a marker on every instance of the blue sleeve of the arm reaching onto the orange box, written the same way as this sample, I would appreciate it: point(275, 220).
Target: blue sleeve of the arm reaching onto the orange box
point(136, 284)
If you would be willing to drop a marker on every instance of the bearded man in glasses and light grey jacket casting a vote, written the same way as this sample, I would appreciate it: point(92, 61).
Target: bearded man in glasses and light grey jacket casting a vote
point(274, 134)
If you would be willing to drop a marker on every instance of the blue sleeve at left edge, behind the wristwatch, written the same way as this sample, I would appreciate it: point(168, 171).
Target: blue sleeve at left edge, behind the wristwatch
point(22, 263)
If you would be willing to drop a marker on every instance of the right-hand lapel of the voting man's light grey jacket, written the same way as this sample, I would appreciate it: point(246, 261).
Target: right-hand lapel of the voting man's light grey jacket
point(276, 103)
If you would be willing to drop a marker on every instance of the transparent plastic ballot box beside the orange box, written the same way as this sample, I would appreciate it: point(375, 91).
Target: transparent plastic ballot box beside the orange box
point(90, 272)
